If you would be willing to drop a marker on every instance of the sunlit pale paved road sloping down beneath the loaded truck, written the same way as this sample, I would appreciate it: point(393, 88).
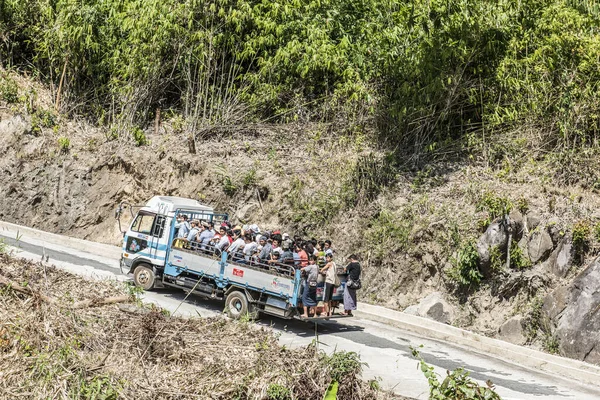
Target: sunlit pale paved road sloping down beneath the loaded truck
point(386, 350)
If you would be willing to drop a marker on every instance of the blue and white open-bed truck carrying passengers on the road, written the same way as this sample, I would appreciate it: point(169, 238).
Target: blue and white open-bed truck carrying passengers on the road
point(157, 258)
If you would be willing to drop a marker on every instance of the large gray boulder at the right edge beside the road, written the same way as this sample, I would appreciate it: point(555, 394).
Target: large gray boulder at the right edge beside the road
point(575, 311)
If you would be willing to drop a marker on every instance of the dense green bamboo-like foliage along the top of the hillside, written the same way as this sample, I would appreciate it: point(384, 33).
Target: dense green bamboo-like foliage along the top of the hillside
point(427, 71)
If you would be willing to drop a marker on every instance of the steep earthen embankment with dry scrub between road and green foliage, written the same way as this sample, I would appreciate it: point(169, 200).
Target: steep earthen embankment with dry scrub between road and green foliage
point(415, 229)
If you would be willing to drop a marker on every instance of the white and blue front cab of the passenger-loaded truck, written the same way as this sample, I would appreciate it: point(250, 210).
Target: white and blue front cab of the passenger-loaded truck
point(146, 241)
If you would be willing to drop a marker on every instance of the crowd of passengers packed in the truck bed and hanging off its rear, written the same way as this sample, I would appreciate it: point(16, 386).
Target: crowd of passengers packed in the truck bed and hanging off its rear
point(248, 245)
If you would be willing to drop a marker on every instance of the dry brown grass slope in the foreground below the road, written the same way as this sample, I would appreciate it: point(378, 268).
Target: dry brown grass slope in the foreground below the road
point(51, 350)
